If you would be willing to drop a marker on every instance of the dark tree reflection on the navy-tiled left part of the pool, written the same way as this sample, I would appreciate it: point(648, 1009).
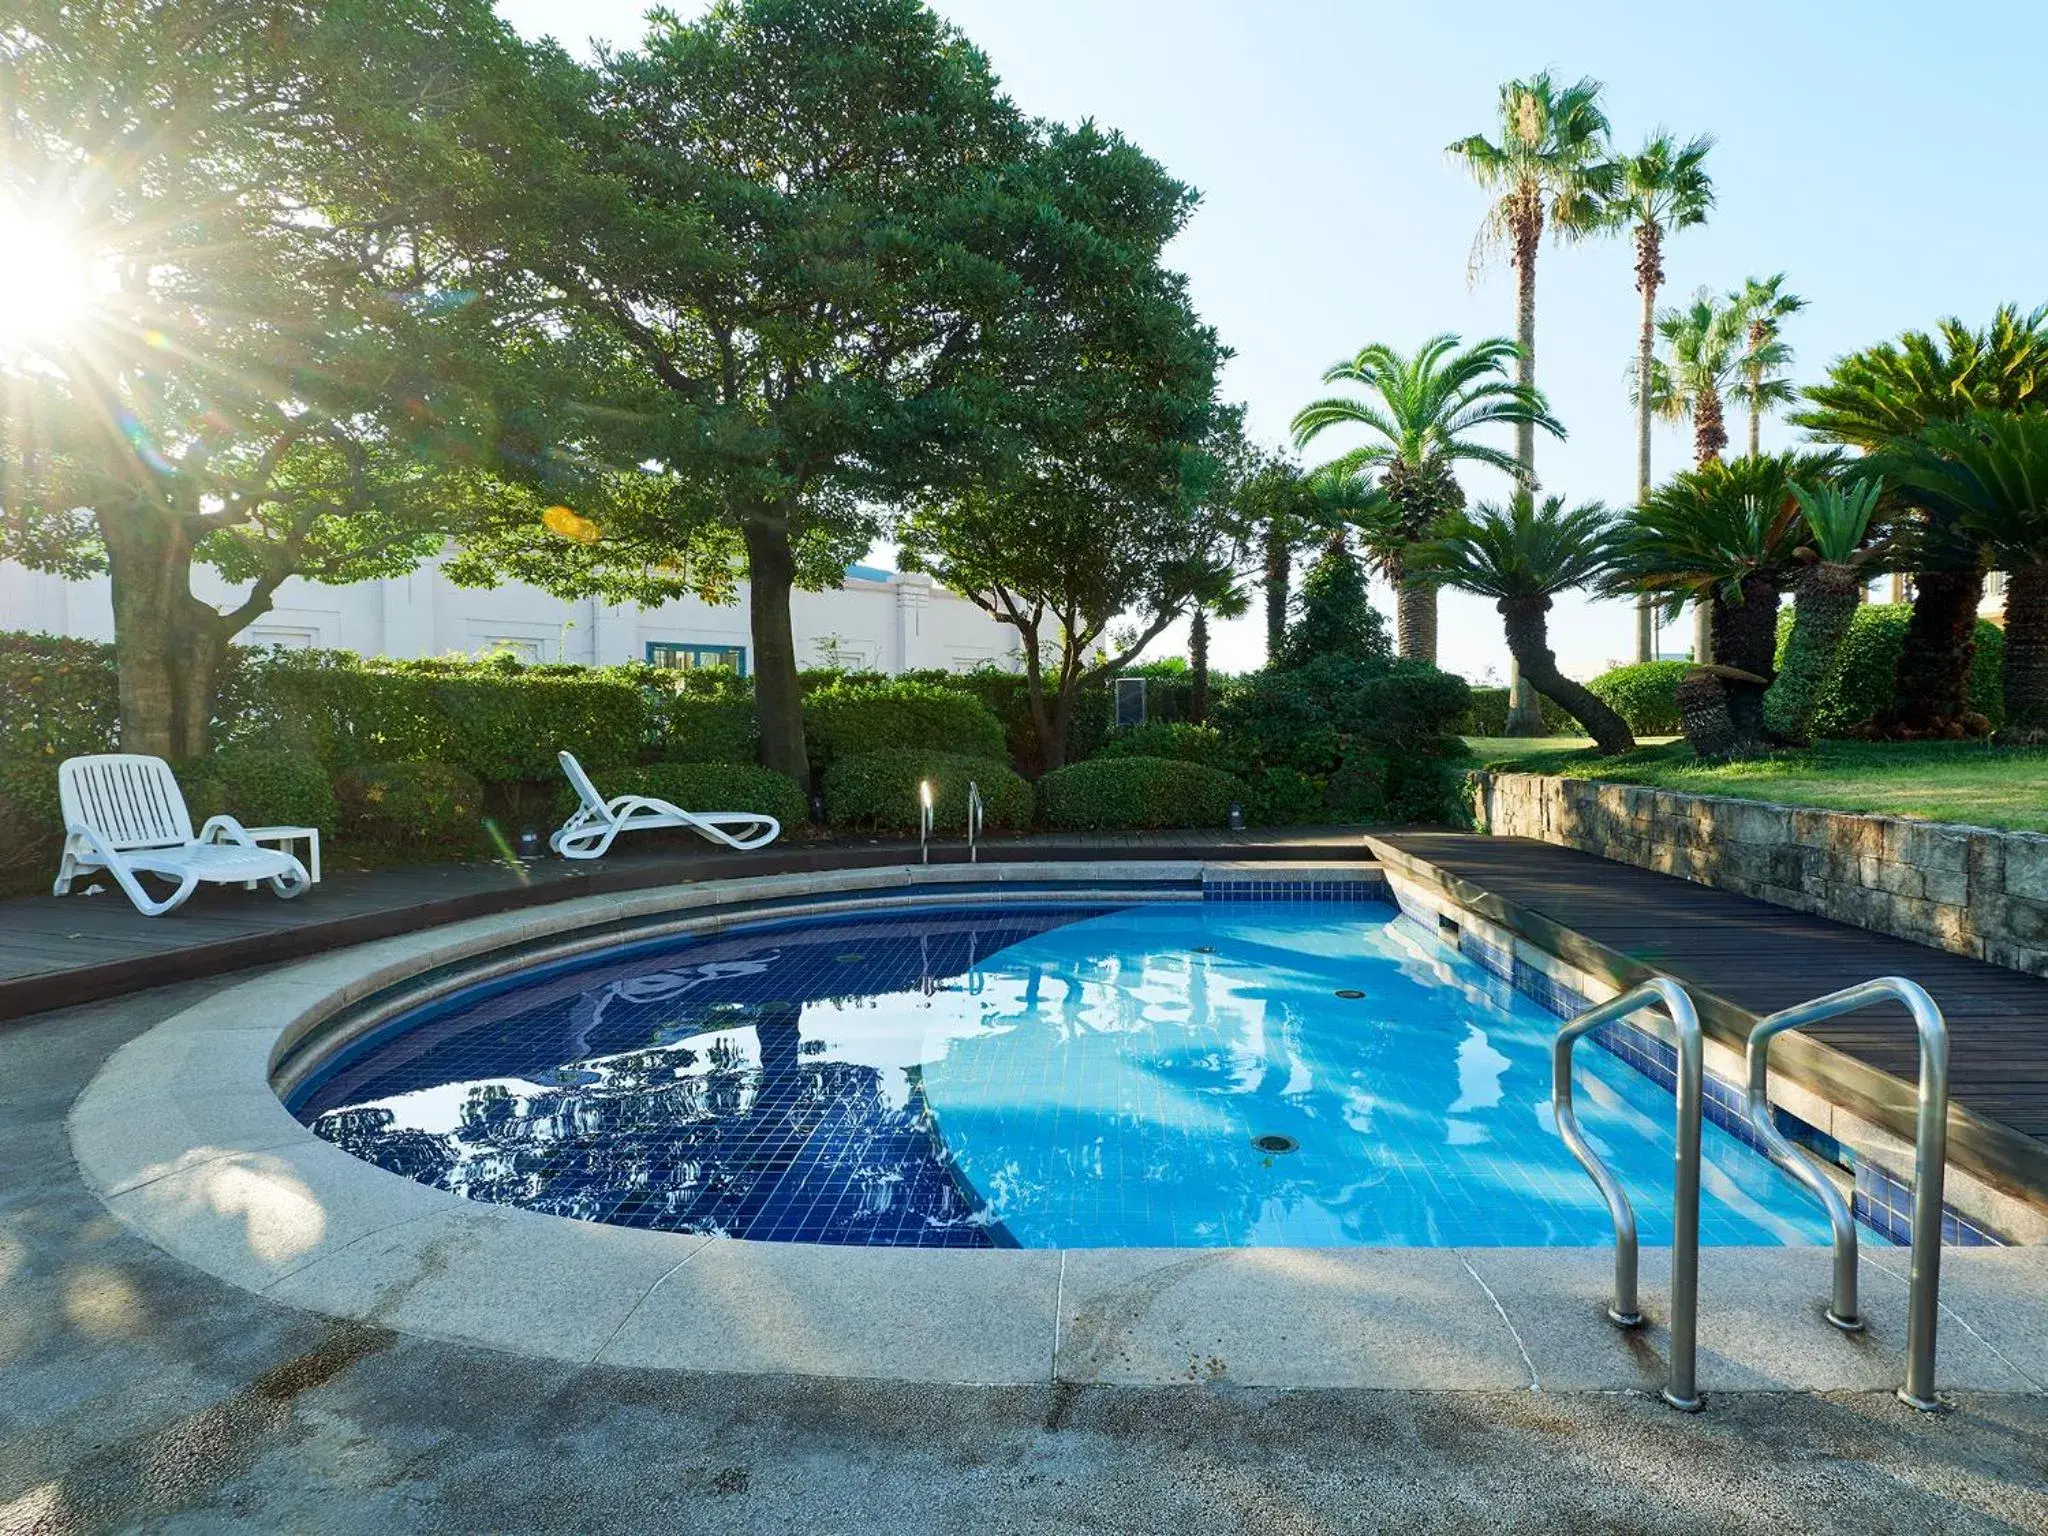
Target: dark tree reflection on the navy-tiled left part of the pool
point(714, 1138)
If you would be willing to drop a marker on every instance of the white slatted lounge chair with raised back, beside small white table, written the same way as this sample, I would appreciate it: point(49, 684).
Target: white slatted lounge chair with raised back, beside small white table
point(126, 814)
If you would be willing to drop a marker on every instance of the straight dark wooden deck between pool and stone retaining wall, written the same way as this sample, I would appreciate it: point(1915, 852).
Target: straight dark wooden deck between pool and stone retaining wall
point(1760, 959)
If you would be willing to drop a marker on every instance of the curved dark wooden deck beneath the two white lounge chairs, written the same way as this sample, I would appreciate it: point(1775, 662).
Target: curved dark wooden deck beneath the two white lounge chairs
point(56, 953)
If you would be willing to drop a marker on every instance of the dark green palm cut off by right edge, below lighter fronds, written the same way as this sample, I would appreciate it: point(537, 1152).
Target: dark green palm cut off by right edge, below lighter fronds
point(1990, 472)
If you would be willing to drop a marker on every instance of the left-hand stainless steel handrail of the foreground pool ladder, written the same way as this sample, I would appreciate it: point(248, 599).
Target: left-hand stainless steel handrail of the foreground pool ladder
point(1680, 1390)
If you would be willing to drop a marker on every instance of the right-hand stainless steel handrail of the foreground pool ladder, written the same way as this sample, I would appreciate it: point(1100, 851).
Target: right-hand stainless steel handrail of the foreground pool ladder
point(1930, 1158)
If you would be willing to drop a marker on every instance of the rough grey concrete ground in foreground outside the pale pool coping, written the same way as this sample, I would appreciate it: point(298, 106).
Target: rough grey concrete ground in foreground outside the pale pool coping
point(138, 1394)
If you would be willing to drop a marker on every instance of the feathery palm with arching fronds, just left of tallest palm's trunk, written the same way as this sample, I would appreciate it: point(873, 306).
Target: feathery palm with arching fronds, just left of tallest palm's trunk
point(1431, 409)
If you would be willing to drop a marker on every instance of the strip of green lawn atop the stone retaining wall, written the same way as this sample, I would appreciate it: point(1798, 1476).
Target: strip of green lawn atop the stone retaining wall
point(1934, 781)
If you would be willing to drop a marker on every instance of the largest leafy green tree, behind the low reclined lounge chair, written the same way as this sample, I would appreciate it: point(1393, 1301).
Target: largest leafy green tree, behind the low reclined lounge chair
point(804, 259)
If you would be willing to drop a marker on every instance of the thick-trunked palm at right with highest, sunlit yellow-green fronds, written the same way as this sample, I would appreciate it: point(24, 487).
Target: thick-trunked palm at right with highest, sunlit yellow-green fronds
point(1893, 392)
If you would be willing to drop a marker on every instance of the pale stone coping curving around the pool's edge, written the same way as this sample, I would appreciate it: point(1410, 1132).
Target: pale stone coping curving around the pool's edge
point(185, 1140)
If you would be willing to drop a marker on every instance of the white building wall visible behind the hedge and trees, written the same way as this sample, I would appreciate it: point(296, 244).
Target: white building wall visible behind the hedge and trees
point(880, 622)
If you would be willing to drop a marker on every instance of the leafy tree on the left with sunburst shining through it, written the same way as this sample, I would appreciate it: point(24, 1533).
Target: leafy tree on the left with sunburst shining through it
point(265, 357)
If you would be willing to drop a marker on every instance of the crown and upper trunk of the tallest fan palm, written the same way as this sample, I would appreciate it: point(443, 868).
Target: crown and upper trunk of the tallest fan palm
point(1549, 167)
